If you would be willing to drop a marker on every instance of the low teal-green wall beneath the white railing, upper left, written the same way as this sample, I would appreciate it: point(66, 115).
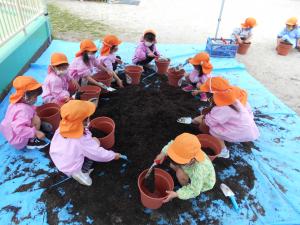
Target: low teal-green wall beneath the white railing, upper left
point(18, 52)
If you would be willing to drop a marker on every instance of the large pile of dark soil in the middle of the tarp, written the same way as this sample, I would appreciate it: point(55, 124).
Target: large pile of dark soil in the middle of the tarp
point(145, 121)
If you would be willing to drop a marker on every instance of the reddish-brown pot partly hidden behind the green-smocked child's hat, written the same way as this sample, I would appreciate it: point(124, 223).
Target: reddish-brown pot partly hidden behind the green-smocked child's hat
point(208, 141)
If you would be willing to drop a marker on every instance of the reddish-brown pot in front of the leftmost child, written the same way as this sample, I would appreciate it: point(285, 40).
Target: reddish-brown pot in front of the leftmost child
point(50, 116)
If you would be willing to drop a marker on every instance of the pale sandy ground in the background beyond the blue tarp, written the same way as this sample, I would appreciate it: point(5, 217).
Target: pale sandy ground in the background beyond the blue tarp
point(192, 21)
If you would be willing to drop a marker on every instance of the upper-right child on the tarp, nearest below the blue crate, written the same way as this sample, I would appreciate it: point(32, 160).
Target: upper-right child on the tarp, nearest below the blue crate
point(202, 69)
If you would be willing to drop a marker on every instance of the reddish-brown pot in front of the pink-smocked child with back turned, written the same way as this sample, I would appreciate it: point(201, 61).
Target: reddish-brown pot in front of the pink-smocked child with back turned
point(106, 125)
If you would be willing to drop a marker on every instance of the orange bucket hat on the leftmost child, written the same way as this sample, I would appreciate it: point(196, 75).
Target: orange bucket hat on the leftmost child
point(23, 84)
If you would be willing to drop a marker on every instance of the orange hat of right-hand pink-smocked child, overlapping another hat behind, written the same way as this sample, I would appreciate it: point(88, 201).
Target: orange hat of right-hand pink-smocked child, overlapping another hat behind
point(223, 93)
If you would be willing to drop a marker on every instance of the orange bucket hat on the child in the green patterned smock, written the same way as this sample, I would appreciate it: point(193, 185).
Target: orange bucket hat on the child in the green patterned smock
point(184, 148)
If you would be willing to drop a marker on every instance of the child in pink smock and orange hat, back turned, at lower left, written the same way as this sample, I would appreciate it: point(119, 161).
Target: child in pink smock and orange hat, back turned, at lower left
point(73, 148)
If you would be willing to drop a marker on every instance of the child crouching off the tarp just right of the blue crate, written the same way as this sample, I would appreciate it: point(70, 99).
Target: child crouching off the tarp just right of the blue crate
point(244, 33)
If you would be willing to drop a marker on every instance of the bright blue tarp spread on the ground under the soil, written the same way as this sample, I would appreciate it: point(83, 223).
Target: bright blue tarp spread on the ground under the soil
point(275, 160)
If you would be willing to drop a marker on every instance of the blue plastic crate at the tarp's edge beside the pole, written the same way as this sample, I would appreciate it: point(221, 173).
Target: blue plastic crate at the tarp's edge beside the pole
point(217, 48)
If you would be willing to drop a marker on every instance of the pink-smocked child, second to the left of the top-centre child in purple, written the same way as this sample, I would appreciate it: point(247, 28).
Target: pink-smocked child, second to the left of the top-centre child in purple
point(85, 64)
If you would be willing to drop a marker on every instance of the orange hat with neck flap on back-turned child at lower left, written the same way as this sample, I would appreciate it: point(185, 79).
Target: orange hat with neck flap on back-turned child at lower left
point(73, 113)
